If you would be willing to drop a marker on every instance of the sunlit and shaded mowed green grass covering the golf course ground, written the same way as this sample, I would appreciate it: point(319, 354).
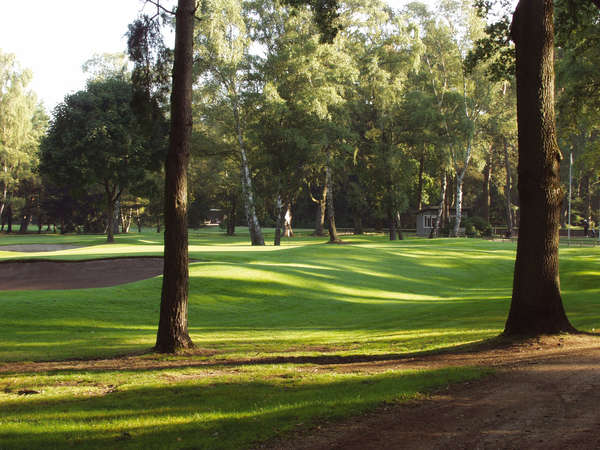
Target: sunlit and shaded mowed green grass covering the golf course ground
point(260, 317)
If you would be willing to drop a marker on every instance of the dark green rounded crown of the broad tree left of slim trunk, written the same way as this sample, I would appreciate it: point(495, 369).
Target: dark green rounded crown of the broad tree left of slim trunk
point(96, 141)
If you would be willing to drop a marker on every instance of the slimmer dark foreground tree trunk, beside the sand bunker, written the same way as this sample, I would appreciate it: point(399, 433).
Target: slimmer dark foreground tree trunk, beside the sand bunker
point(173, 324)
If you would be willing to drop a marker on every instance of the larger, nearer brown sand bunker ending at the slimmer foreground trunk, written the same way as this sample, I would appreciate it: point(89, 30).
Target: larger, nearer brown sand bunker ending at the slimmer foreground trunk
point(39, 275)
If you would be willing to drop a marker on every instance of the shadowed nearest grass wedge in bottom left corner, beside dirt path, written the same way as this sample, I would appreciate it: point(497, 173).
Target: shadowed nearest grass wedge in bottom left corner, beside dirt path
point(231, 413)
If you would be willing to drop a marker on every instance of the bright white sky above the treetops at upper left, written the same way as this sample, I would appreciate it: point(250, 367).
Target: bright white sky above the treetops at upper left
point(53, 38)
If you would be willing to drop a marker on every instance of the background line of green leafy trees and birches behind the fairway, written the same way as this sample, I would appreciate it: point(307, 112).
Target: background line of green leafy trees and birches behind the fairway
point(363, 131)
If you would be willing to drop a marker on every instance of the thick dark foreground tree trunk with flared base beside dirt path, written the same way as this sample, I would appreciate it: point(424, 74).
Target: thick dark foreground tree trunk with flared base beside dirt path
point(536, 305)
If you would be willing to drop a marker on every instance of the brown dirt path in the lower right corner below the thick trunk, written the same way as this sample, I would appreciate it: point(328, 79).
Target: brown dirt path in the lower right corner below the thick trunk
point(541, 398)
